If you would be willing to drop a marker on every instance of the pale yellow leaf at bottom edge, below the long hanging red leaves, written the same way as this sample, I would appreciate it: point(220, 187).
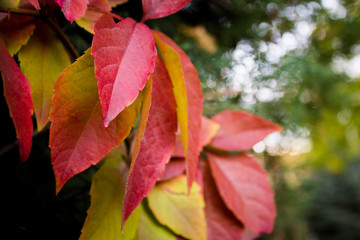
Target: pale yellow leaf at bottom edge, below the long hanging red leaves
point(173, 207)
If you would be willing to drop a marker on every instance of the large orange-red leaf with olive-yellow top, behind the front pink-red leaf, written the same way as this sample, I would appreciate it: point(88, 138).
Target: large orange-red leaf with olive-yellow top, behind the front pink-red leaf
point(78, 137)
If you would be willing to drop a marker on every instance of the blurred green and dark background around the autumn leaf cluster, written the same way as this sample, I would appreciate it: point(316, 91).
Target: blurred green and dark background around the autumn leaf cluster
point(294, 62)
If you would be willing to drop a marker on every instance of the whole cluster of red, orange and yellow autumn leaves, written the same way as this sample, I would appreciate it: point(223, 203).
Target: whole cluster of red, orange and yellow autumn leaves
point(93, 104)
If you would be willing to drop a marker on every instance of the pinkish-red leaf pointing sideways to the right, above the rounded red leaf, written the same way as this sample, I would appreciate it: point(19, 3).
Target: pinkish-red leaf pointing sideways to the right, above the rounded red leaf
point(240, 130)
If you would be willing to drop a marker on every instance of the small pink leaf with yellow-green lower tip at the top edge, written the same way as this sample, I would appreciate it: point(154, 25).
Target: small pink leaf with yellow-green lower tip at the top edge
point(95, 10)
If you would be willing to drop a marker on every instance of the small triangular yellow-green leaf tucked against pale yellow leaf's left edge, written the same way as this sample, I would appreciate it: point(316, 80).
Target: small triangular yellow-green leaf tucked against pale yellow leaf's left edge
point(150, 229)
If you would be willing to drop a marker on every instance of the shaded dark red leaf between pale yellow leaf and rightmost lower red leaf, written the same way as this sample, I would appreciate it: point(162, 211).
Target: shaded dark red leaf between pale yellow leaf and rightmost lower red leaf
point(221, 222)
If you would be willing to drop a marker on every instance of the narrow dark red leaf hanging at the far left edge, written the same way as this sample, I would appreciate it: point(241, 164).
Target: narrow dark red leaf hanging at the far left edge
point(17, 93)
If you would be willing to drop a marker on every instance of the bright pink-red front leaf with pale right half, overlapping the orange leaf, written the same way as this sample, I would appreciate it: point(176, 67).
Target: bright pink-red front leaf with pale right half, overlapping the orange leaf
point(124, 59)
